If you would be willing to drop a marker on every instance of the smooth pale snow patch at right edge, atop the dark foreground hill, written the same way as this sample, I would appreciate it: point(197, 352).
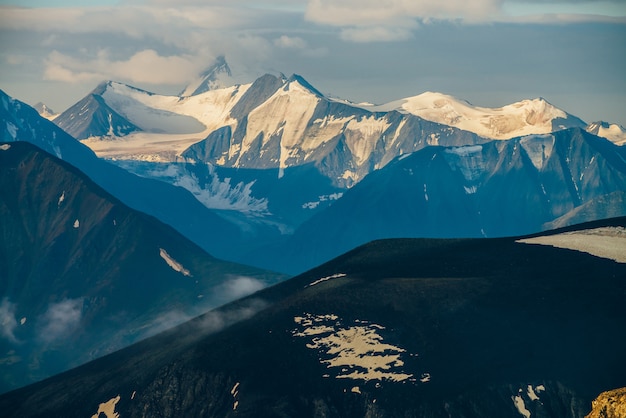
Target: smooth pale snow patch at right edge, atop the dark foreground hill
point(607, 242)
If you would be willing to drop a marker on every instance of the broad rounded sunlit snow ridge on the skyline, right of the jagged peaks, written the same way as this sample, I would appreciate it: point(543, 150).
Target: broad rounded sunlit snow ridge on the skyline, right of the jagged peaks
point(522, 118)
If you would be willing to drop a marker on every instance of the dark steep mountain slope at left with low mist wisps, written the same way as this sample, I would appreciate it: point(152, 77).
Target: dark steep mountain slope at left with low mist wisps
point(84, 275)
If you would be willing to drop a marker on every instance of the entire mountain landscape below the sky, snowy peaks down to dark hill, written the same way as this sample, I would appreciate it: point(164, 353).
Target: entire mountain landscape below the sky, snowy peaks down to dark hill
point(131, 212)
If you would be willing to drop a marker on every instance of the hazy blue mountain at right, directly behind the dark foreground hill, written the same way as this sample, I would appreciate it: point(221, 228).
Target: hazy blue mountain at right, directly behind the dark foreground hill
point(500, 188)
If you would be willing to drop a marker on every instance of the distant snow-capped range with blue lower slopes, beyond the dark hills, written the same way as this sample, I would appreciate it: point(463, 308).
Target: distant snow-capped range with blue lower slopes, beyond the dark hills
point(291, 167)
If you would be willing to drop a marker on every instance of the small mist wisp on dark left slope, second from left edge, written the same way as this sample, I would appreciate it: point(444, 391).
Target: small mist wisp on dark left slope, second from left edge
point(61, 319)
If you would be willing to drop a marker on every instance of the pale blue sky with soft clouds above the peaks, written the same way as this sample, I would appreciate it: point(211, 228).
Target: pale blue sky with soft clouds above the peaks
point(488, 52)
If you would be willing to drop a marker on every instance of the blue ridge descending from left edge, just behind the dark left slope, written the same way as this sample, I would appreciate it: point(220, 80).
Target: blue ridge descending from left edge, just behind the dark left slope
point(172, 205)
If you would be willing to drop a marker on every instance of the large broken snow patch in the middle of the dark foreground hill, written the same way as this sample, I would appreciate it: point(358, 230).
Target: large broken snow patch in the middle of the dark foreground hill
point(358, 352)
